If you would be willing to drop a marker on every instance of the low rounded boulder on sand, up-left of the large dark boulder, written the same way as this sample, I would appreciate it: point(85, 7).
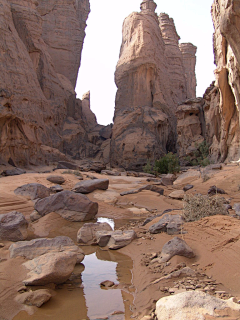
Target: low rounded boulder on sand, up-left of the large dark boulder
point(33, 191)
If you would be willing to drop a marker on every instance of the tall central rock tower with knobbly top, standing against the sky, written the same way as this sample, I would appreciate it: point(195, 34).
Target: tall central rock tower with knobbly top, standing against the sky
point(151, 81)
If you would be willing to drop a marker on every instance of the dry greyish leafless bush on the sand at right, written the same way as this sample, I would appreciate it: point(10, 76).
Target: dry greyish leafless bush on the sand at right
point(198, 206)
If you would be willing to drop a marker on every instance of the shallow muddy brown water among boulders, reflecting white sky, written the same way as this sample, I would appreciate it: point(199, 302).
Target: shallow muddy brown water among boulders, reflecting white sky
point(82, 296)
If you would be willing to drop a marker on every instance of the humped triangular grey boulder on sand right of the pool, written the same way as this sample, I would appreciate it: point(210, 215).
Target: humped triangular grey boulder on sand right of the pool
point(175, 247)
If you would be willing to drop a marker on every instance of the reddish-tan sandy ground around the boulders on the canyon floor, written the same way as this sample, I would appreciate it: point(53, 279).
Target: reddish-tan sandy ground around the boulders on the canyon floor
point(214, 240)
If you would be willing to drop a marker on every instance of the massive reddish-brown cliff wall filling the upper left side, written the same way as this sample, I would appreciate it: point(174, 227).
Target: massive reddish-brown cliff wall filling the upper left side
point(40, 52)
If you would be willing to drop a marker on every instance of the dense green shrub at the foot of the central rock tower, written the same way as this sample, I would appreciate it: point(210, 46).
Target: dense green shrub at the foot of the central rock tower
point(167, 164)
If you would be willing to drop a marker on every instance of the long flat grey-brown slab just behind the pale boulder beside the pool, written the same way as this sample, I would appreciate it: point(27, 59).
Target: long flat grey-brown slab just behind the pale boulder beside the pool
point(37, 247)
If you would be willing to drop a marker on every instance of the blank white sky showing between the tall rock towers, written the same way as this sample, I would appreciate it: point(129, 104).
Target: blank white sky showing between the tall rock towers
point(104, 36)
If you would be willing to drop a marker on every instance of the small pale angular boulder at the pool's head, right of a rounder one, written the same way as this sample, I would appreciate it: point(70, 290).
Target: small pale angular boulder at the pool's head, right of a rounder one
point(120, 239)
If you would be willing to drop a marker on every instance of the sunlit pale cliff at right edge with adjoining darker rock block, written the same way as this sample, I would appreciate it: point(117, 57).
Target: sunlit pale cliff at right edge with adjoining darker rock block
point(215, 118)
